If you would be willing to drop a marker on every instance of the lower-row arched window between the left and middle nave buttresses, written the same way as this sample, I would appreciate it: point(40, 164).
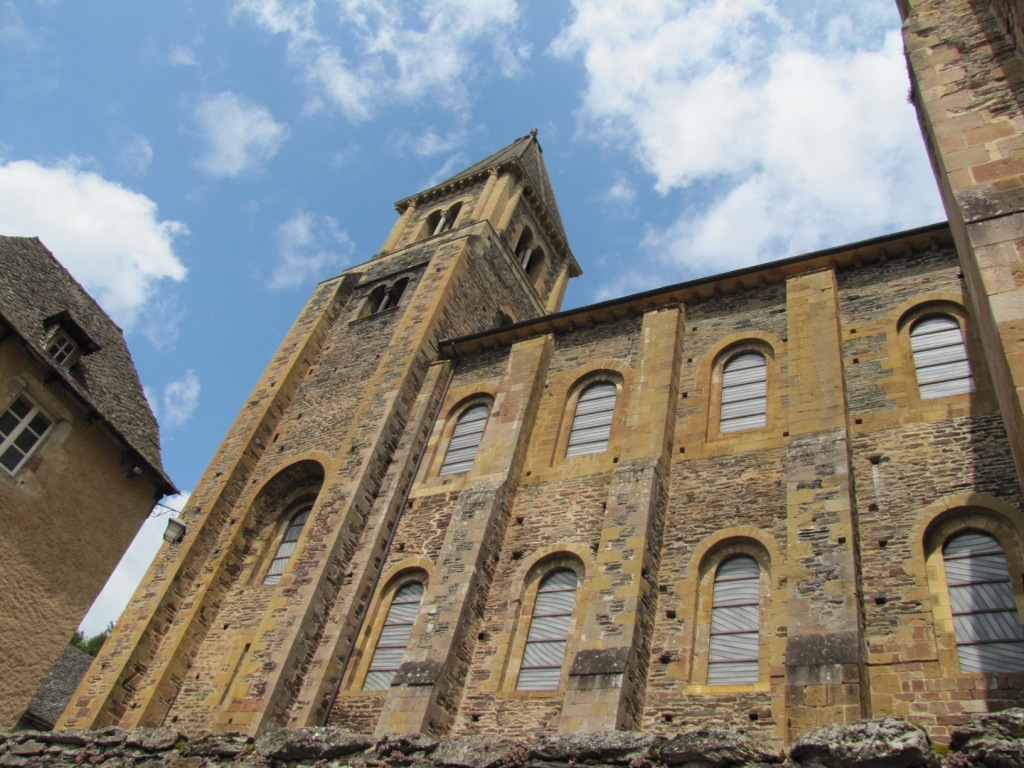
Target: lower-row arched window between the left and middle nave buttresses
point(549, 631)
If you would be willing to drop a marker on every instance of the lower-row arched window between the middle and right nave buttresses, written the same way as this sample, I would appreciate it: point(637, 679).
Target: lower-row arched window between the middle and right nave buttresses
point(736, 621)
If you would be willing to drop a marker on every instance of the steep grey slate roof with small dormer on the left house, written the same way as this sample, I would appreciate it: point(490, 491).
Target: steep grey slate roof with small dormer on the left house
point(34, 287)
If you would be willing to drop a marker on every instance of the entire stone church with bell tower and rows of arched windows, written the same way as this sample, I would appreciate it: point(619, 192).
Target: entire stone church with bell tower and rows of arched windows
point(782, 497)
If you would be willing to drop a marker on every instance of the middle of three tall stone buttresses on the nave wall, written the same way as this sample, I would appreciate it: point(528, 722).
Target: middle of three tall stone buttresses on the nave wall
point(608, 678)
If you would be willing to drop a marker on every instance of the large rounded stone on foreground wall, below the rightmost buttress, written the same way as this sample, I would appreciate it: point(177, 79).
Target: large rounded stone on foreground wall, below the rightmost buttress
point(888, 743)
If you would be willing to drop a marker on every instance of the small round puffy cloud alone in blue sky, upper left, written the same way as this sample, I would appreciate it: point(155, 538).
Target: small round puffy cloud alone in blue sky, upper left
point(241, 136)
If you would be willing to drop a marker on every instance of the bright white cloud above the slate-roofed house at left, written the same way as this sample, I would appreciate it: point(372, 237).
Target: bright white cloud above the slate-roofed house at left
point(109, 237)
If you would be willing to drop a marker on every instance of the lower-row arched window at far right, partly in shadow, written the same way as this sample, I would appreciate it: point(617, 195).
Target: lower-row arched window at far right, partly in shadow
point(989, 629)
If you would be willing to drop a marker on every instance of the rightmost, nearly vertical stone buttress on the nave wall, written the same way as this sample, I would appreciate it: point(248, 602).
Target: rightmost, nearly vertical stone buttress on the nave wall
point(825, 675)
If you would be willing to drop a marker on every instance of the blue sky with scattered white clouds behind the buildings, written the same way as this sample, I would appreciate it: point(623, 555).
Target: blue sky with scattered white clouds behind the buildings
point(200, 166)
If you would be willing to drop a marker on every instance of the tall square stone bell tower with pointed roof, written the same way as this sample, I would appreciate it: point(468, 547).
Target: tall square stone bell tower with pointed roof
point(246, 624)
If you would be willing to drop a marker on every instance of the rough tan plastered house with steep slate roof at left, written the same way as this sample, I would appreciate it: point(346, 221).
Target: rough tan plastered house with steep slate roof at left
point(79, 462)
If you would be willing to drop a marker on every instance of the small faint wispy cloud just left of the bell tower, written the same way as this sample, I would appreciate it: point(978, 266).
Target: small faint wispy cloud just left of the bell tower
point(311, 247)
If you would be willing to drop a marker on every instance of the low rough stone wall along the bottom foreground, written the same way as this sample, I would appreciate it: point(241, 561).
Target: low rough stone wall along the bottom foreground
point(994, 741)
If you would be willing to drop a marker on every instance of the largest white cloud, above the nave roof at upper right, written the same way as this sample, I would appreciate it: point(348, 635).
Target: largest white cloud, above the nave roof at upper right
point(802, 135)
